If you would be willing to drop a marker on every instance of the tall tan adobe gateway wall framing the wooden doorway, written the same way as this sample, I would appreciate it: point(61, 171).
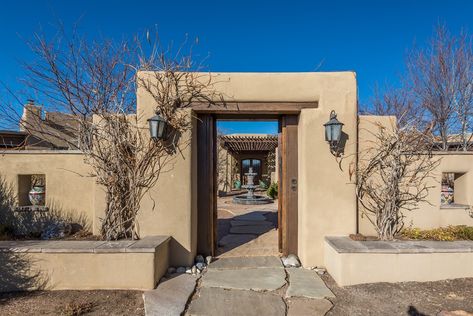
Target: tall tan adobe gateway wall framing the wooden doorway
point(327, 204)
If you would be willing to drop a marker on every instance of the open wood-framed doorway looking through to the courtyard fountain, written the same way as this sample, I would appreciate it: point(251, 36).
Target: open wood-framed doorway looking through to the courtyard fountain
point(212, 193)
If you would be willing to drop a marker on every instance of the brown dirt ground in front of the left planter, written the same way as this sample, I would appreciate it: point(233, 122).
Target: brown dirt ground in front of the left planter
point(72, 303)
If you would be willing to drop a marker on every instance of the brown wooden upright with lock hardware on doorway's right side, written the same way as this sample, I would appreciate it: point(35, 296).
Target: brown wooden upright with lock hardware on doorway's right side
point(288, 185)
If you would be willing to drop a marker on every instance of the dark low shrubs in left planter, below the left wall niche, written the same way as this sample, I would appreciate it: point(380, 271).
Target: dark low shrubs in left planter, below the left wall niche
point(32, 224)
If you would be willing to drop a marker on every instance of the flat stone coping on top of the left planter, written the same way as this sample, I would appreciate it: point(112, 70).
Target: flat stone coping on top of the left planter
point(148, 244)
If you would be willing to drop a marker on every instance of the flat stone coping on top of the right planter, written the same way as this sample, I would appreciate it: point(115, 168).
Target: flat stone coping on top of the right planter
point(347, 245)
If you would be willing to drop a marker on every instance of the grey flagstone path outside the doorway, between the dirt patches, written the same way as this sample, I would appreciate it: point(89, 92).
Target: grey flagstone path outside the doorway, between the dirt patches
point(246, 286)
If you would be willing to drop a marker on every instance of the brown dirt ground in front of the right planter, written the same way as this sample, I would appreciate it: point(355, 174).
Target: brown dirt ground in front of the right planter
point(408, 298)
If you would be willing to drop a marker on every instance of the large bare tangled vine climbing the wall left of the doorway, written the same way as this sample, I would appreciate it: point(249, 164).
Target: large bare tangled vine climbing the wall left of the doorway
point(95, 83)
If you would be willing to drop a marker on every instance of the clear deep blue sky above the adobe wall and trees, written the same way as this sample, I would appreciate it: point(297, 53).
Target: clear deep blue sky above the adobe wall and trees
point(369, 37)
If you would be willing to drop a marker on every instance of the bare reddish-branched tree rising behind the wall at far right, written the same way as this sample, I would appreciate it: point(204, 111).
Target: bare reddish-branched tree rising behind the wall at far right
point(441, 78)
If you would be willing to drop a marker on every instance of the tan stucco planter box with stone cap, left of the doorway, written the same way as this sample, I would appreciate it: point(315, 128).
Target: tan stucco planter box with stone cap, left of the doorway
point(81, 265)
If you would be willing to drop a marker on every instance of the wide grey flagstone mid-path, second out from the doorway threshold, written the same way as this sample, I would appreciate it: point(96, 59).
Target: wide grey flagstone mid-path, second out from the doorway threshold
point(257, 279)
